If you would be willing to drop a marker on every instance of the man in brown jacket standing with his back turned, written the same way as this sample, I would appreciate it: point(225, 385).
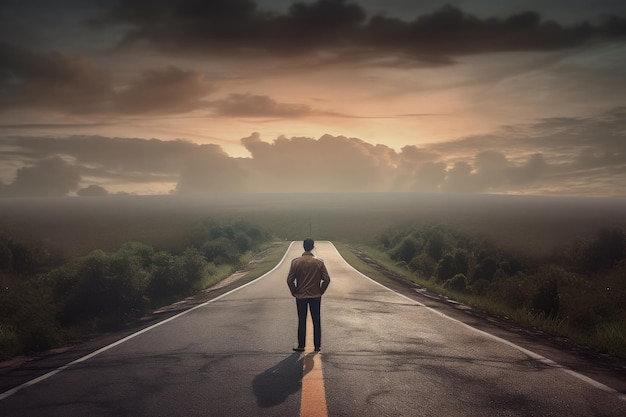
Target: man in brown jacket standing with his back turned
point(308, 280)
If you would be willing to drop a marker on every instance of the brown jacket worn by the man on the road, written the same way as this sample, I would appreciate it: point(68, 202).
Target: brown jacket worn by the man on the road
point(308, 277)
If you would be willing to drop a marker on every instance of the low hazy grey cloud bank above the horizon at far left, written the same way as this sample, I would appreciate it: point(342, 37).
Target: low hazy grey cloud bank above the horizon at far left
point(195, 168)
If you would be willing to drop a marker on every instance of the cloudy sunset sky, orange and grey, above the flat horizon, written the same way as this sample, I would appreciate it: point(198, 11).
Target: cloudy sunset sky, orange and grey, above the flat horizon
point(234, 96)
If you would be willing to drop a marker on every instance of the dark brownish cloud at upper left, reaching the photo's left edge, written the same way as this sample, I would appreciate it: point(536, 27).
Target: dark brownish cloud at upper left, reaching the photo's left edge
point(63, 83)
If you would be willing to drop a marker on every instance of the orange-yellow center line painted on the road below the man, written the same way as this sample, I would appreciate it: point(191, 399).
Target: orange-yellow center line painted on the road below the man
point(313, 402)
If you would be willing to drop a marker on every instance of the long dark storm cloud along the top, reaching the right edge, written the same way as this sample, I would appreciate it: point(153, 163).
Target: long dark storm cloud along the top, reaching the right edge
point(240, 26)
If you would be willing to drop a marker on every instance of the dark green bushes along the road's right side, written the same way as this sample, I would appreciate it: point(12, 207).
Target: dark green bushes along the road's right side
point(577, 292)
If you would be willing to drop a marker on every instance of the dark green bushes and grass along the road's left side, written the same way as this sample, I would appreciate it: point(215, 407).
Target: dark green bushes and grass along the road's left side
point(45, 302)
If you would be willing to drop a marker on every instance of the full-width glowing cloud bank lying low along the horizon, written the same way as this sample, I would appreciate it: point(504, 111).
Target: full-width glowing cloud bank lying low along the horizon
point(553, 156)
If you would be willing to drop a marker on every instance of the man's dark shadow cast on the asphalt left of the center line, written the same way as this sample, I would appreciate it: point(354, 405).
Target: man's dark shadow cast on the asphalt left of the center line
point(273, 386)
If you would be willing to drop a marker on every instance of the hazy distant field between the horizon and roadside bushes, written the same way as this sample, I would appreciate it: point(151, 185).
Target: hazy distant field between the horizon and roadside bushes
point(77, 225)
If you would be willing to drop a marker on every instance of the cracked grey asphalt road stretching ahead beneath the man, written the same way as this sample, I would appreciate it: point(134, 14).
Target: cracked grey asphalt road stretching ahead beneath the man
point(383, 354)
